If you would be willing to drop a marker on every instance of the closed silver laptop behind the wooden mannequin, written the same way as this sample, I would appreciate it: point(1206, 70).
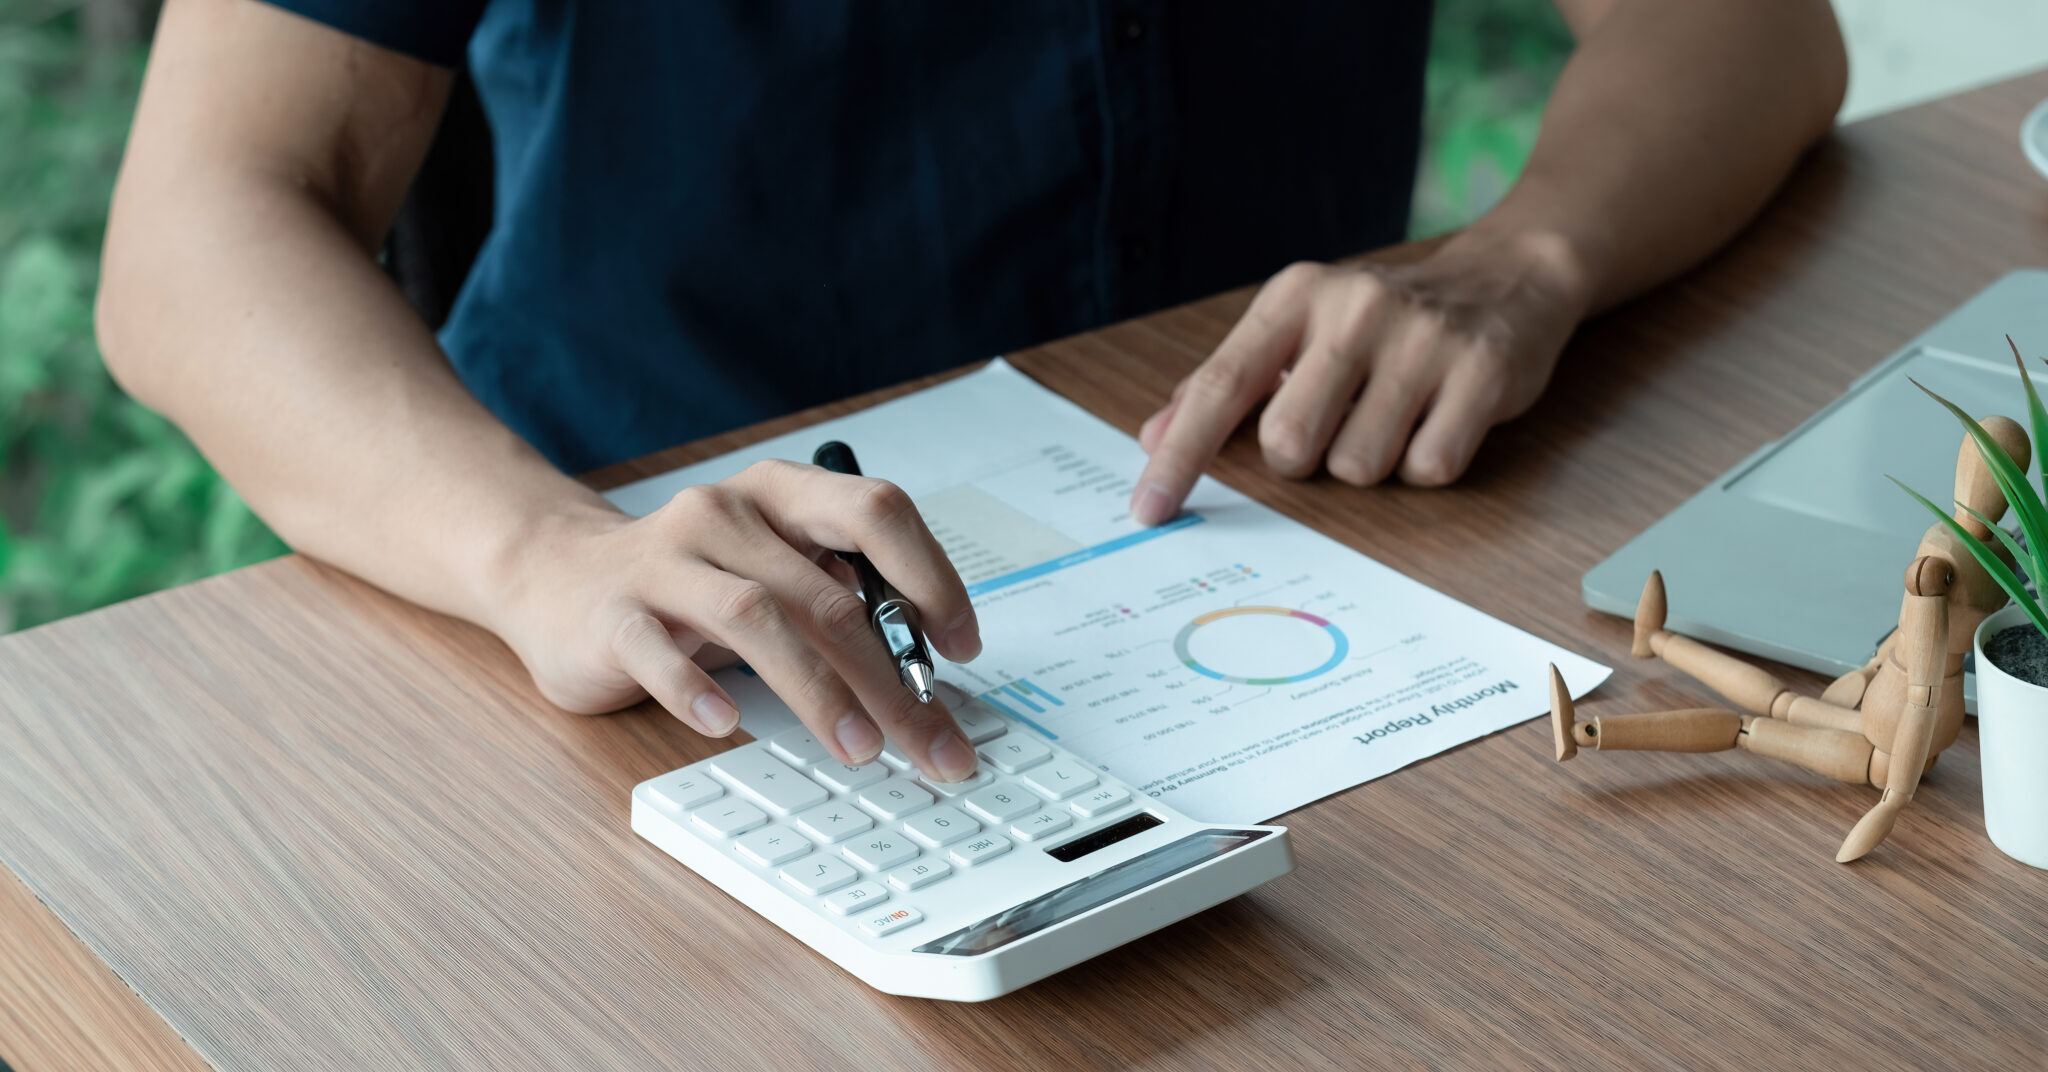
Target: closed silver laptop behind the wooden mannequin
point(1801, 550)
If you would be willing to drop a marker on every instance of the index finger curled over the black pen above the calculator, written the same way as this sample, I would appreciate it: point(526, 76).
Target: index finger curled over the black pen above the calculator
point(855, 513)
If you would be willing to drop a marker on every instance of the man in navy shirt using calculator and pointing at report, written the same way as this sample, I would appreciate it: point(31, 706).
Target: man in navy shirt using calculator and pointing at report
point(716, 212)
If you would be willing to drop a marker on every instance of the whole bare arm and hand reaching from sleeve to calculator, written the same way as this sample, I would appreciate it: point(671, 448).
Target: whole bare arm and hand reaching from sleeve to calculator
point(243, 298)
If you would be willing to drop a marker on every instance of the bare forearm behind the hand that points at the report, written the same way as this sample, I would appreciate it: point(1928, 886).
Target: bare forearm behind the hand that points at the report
point(1670, 128)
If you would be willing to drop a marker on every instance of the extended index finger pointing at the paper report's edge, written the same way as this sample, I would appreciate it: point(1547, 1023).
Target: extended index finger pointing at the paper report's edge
point(1222, 393)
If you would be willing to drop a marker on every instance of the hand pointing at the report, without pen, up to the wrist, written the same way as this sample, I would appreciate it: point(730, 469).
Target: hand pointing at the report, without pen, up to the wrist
point(1375, 370)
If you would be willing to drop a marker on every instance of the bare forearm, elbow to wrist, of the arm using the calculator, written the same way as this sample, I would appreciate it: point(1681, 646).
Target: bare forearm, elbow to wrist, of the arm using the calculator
point(251, 317)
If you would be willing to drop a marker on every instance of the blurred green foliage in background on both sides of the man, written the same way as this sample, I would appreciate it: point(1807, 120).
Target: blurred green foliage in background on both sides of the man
point(103, 501)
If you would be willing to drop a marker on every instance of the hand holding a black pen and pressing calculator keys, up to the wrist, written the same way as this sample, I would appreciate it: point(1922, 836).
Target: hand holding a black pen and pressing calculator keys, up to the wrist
point(607, 610)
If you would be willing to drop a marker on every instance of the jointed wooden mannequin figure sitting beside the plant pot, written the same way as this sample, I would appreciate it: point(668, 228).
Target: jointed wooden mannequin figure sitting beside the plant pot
point(1883, 725)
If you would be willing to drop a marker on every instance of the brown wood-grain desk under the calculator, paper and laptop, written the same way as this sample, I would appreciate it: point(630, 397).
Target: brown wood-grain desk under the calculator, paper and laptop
point(314, 827)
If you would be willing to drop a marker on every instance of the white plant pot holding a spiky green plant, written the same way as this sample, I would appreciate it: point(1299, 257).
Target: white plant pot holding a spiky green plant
point(2012, 733)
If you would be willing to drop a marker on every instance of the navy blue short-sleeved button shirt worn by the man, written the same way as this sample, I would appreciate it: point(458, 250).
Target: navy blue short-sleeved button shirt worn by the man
point(712, 212)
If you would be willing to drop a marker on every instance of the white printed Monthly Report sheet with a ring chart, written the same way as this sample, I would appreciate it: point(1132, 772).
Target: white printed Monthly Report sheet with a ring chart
point(1232, 663)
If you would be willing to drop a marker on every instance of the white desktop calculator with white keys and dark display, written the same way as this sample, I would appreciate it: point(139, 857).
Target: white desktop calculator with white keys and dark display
point(933, 891)
